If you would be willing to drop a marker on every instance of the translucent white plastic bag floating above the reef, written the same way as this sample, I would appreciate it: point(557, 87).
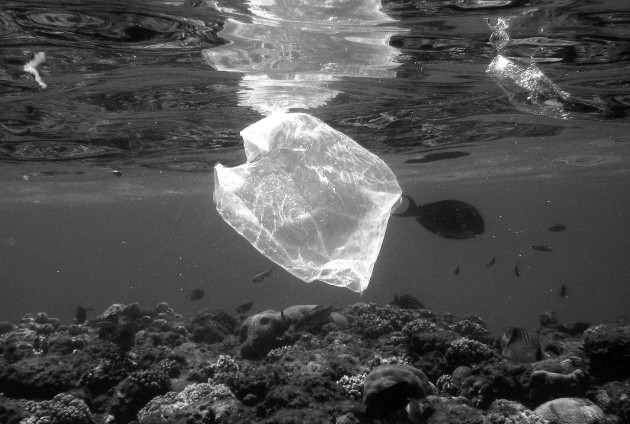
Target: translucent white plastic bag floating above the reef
point(309, 198)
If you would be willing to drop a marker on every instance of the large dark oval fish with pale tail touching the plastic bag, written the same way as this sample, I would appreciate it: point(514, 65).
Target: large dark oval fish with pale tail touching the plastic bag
point(446, 218)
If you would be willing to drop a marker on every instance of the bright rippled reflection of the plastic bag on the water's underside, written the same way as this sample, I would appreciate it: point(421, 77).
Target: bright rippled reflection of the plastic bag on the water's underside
point(292, 50)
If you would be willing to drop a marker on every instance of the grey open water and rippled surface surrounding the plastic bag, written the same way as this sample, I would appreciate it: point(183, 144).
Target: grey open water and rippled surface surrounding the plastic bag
point(520, 108)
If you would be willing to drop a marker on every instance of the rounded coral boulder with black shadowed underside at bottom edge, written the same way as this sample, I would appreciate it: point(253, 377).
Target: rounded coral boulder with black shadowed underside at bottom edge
point(389, 388)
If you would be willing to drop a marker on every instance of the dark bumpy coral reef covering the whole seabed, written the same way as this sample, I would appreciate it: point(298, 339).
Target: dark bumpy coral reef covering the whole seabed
point(364, 364)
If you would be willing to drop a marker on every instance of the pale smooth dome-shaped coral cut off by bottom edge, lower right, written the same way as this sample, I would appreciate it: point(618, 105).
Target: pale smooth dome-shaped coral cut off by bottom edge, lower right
point(570, 411)
